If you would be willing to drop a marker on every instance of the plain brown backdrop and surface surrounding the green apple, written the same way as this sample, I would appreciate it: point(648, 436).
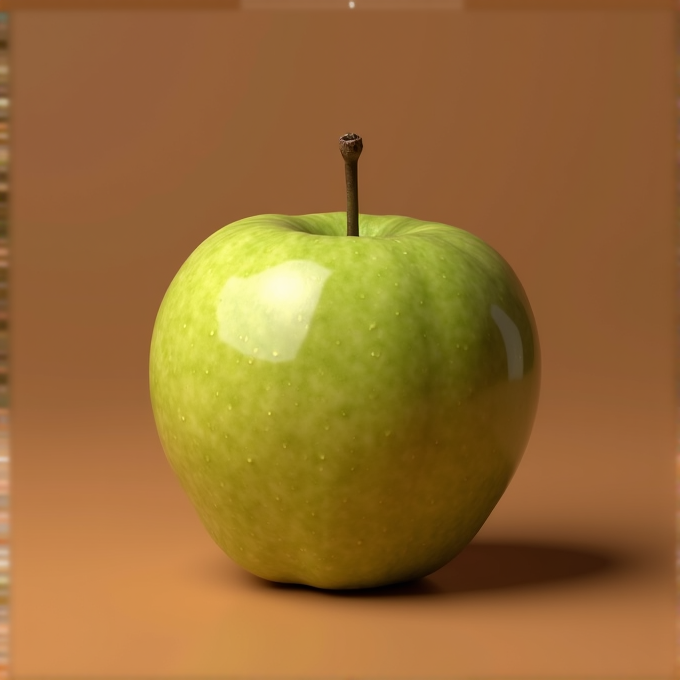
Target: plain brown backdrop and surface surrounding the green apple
point(137, 134)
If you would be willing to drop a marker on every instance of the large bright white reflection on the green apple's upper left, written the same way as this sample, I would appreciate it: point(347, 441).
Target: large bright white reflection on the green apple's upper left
point(283, 301)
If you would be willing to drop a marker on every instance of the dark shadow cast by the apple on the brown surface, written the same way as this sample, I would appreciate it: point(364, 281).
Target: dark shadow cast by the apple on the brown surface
point(484, 566)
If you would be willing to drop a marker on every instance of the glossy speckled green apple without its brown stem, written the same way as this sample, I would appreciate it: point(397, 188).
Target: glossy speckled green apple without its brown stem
point(344, 412)
